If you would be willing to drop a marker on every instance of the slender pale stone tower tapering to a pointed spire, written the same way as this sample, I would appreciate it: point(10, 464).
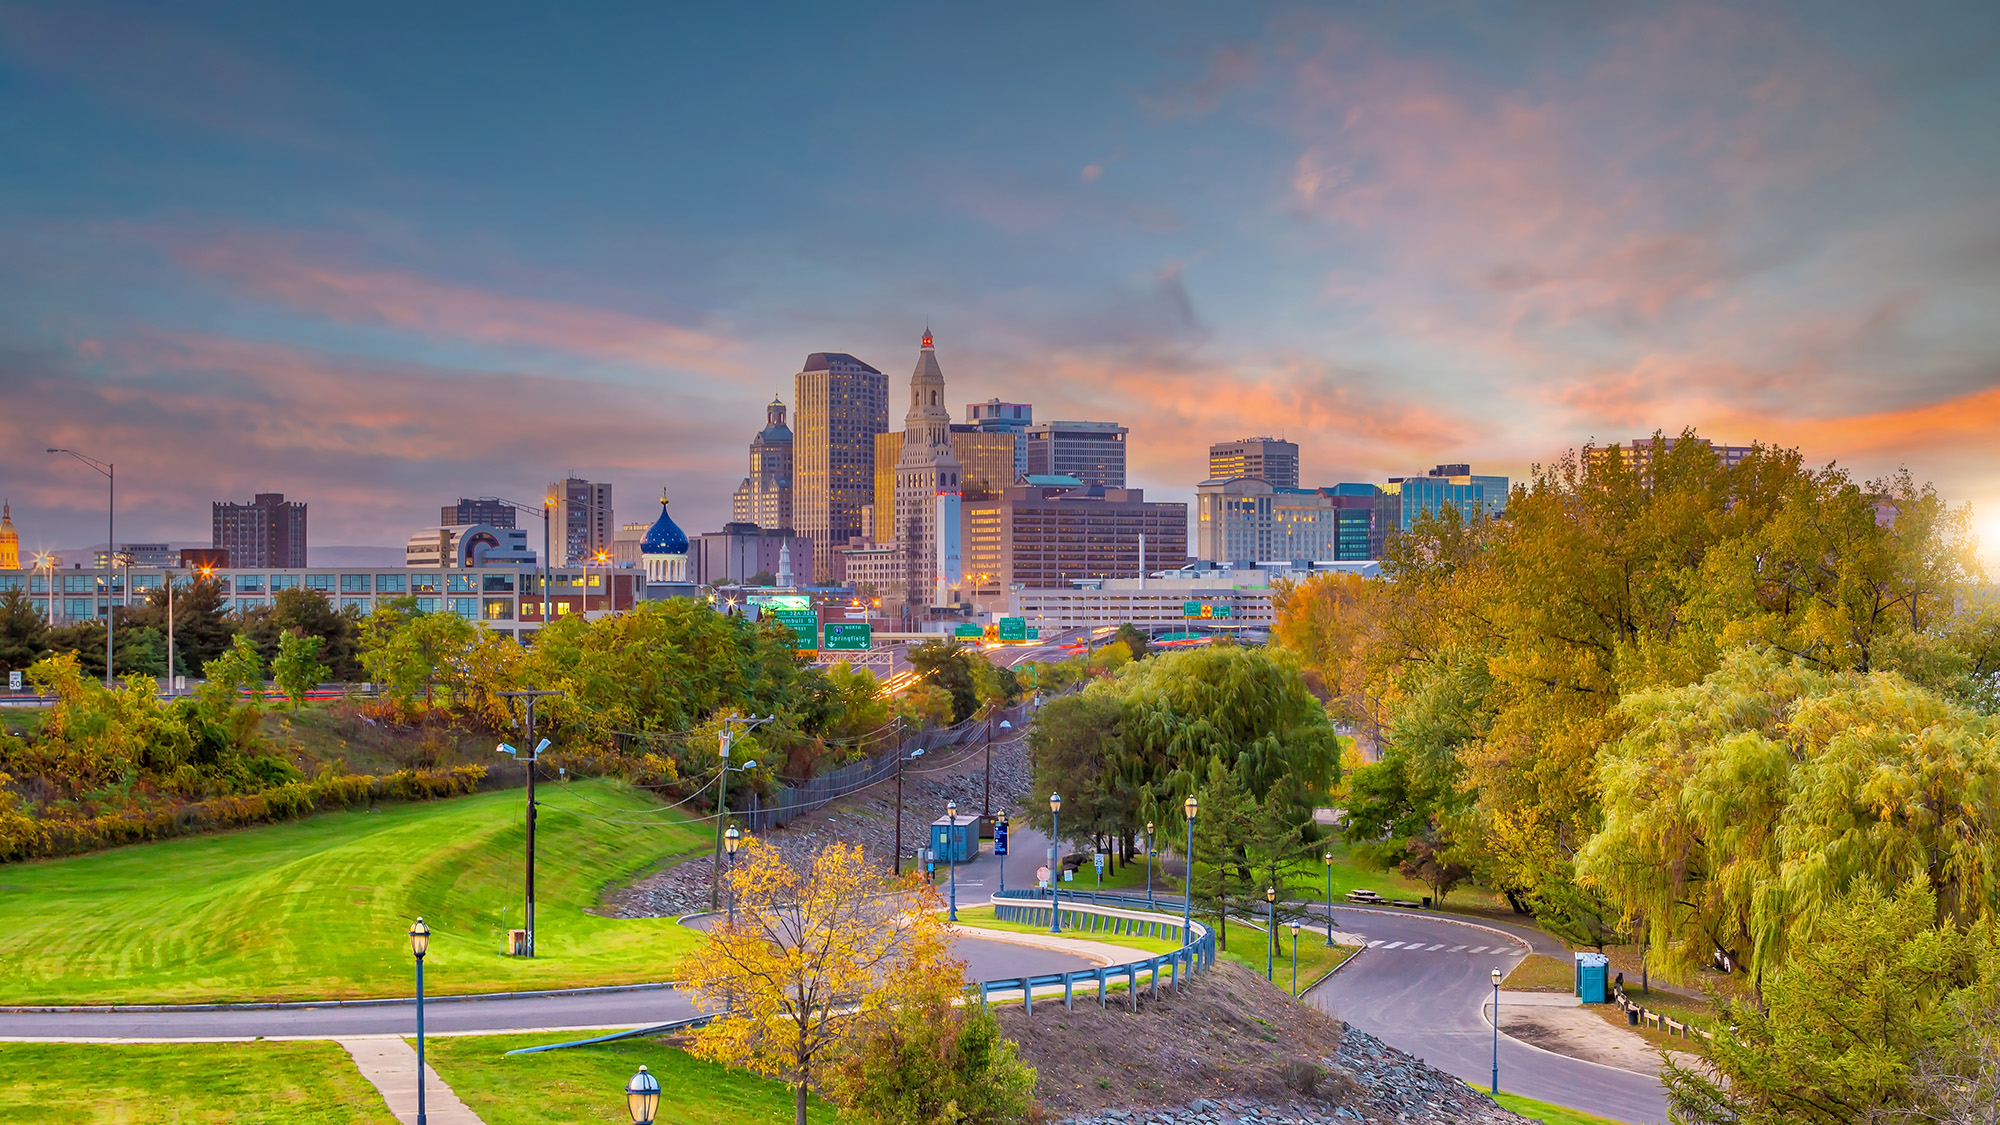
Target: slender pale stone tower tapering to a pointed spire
point(927, 487)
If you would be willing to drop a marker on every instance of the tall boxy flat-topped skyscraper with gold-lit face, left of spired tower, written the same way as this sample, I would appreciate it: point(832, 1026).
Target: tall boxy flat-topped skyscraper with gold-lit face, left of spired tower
point(841, 405)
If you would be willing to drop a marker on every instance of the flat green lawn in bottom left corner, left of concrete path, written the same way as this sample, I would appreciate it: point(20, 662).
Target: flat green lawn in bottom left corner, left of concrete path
point(211, 1084)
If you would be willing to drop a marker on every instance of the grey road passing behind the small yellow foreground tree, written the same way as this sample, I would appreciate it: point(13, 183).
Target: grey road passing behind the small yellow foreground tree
point(985, 960)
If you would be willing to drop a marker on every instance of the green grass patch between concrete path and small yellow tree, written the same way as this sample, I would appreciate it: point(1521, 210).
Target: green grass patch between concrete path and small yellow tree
point(587, 1084)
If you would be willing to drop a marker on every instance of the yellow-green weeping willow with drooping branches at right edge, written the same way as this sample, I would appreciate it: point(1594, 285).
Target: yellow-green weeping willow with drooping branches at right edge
point(1739, 810)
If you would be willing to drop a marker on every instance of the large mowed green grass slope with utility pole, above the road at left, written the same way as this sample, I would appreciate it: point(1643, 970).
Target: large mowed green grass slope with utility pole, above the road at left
point(321, 908)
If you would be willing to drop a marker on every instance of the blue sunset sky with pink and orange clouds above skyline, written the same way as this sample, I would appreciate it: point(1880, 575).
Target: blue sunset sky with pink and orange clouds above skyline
point(381, 257)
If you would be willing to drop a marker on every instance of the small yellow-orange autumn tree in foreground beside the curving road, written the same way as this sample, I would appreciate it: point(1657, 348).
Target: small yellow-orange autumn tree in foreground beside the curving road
point(815, 960)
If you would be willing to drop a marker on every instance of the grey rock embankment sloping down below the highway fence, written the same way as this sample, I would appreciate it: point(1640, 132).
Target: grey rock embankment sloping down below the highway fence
point(867, 820)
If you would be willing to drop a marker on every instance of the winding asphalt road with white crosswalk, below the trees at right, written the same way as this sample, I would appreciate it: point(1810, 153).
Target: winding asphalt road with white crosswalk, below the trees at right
point(1423, 986)
